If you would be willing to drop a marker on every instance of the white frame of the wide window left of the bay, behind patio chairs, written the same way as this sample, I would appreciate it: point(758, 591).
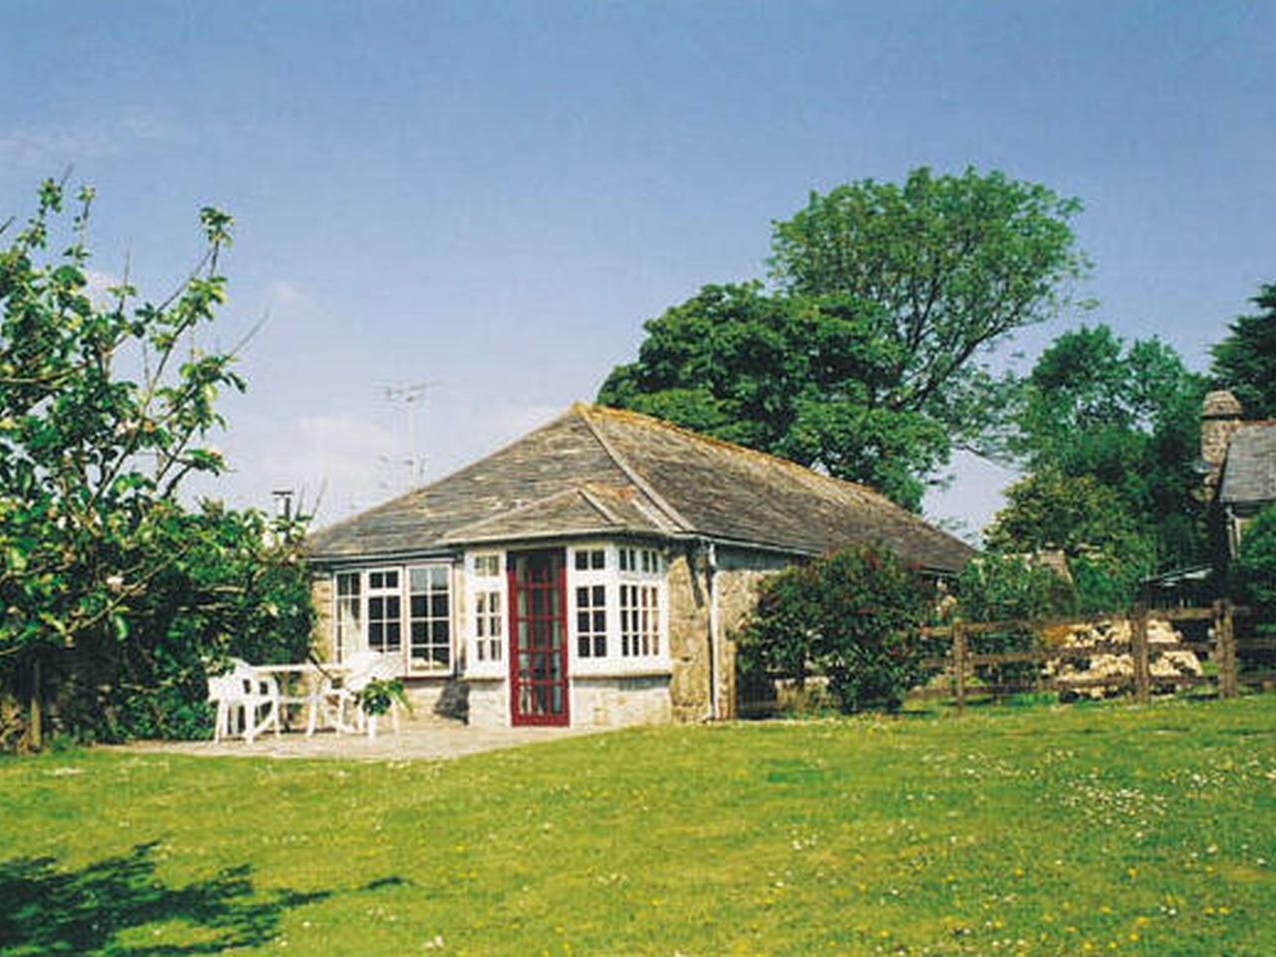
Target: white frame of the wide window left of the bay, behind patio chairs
point(352, 619)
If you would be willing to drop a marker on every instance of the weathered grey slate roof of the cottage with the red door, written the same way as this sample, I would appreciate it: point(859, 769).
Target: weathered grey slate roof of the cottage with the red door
point(599, 471)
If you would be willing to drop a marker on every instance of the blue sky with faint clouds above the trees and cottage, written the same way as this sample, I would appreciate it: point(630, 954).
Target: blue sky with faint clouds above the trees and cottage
point(493, 197)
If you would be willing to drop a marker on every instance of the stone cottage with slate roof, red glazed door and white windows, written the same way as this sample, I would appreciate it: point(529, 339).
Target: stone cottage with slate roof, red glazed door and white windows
point(591, 572)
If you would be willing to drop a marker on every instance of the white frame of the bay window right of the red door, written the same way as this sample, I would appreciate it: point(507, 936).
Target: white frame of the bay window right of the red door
point(645, 567)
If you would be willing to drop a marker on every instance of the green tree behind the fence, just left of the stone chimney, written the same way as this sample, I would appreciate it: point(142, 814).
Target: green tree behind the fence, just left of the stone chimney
point(1109, 434)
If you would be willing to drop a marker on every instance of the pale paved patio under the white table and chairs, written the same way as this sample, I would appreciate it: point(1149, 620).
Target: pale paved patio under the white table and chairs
point(417, 741)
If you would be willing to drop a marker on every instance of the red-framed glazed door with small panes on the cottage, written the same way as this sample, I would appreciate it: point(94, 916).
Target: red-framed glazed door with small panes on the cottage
point(538, 668)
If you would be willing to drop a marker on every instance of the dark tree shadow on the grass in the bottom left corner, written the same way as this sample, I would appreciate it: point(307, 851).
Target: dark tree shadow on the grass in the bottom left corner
point(47, 910)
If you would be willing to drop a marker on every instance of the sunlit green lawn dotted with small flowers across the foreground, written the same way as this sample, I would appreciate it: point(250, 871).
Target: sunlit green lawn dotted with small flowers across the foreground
point(1058, 831)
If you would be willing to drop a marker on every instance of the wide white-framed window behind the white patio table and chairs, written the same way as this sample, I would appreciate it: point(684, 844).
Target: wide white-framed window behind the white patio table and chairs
point(405, 613)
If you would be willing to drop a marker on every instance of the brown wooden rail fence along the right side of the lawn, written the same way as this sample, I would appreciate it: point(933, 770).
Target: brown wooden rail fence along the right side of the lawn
point(995, 660)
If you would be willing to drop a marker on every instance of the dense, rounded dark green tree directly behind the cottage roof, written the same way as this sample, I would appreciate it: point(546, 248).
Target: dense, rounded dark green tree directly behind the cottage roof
point(801, 378)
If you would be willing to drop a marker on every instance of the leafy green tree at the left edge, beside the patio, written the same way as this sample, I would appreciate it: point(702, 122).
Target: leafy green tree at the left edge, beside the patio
point(107, 408)
